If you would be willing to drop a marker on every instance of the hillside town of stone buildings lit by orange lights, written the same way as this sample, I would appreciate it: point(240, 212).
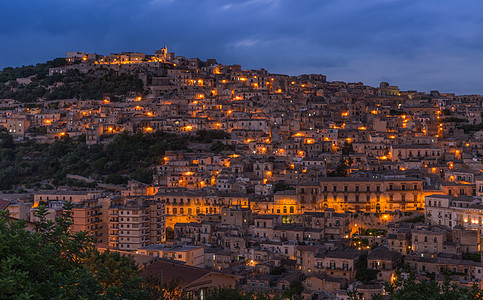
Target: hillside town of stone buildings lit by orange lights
point(336, 186)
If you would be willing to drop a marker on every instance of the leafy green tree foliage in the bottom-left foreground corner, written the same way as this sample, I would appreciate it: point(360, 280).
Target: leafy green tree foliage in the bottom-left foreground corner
point(54, 263)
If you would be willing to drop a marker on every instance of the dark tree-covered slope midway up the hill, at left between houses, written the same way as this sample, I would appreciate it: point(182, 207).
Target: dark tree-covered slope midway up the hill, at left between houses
point(128, 156)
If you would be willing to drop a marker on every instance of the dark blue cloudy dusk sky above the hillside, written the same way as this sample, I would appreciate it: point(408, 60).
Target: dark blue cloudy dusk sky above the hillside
point(416, 44)
